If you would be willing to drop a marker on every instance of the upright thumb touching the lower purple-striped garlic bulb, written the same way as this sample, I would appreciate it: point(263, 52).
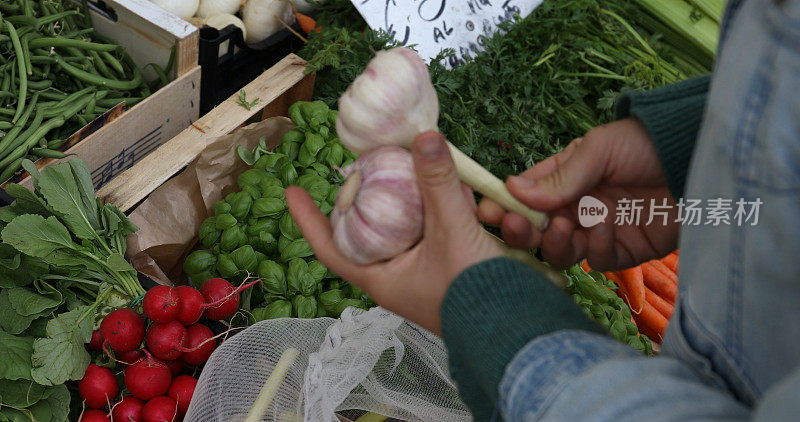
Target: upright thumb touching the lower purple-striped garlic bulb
point(445, 202)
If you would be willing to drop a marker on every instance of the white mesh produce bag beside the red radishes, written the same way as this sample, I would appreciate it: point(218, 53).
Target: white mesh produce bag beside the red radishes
point(368, 360)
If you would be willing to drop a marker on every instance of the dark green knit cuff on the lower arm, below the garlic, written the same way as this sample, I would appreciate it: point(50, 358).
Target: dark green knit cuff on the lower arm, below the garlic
point(489, 313)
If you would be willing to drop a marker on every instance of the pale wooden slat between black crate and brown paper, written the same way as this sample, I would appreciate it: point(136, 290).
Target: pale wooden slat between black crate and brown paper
point(133, 185)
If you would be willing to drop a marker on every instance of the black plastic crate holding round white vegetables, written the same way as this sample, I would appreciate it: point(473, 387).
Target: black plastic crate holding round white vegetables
point(224, 75)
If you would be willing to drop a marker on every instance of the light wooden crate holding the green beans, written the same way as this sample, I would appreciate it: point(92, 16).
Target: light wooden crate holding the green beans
point(115, 141)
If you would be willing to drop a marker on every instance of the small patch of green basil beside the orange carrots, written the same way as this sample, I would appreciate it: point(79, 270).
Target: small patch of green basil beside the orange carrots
point(596, 295)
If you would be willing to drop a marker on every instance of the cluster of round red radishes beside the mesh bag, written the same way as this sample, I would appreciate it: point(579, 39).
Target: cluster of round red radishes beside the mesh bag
point(173, 339)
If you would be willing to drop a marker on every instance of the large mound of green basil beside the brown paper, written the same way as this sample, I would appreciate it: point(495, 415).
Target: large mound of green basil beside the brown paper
point(252, 231)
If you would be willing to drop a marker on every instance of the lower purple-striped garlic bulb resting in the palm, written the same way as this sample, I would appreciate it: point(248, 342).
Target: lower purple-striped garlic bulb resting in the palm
point(378, 211)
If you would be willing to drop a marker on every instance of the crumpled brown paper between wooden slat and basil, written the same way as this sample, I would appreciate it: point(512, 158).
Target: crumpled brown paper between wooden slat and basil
point(170, 217)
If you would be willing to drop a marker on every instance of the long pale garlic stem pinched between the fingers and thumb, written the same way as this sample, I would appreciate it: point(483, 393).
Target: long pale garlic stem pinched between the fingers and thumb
point(490, 186)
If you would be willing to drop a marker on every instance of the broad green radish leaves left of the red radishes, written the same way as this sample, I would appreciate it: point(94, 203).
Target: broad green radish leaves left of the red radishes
point(62, 268)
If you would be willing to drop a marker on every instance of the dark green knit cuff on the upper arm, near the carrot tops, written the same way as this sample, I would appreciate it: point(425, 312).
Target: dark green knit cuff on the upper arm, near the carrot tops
point(672, 115)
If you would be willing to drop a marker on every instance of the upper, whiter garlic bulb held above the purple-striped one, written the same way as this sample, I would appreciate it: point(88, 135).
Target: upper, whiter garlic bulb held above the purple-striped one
point(391, 103)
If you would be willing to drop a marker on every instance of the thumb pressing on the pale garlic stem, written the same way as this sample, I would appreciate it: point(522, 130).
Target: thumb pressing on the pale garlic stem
point(560, 179)
